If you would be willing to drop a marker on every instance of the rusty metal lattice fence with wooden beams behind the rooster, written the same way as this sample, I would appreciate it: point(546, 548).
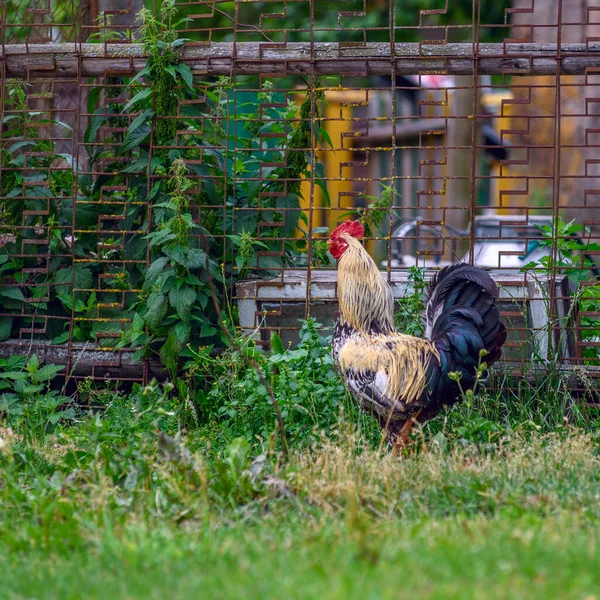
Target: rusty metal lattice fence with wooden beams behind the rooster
point(464, 131)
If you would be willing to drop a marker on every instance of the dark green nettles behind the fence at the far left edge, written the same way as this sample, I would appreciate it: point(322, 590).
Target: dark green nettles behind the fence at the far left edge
point(36, 188)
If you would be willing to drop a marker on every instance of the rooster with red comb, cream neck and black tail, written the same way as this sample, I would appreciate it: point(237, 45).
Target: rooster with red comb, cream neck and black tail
point(403, 379)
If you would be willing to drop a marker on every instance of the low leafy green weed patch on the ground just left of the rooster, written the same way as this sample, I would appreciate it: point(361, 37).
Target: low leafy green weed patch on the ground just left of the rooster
point(304, 382)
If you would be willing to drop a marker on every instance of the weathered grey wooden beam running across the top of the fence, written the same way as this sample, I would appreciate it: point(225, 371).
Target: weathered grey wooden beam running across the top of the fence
point(324, 58)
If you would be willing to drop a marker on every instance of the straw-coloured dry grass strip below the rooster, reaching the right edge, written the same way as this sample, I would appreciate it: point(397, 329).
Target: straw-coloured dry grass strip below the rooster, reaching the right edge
point(541, 472)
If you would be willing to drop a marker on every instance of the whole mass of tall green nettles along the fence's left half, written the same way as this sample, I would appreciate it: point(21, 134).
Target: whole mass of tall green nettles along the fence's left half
point(187, 206)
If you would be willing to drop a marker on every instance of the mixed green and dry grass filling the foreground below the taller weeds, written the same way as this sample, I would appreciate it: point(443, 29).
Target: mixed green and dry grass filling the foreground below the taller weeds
point(342, 519)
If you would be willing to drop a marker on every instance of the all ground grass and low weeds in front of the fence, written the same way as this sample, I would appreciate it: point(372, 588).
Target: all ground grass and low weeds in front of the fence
point(157, 496)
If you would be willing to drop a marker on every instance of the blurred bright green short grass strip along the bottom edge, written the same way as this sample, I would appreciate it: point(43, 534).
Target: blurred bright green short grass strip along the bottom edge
point(301, 557)
